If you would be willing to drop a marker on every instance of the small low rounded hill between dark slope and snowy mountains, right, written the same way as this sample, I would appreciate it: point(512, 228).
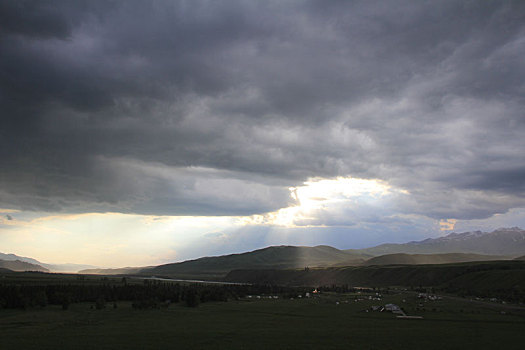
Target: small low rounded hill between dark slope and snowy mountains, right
point(418, 259)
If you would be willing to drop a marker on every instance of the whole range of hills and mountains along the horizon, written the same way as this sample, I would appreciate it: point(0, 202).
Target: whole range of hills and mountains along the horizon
point(501, 244)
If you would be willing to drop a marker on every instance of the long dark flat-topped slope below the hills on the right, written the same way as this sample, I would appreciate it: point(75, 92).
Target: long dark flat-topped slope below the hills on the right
point(506, 275)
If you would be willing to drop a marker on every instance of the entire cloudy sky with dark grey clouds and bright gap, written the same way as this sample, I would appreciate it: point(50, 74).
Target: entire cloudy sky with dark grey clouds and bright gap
point(175, 129)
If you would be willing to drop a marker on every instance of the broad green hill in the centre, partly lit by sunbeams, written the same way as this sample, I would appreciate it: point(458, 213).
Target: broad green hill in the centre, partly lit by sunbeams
point(281, 257)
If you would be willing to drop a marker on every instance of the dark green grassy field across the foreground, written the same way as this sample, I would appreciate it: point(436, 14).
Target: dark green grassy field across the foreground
point(333, 321)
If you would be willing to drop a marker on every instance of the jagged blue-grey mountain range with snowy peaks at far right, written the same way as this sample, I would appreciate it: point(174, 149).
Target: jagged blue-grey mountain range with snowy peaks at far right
point(503, 241)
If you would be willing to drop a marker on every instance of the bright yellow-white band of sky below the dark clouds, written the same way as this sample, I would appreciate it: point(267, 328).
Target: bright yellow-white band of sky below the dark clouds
point(328, 211)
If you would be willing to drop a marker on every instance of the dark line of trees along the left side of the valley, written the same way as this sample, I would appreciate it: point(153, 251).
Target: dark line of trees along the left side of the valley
point(149, 294)
